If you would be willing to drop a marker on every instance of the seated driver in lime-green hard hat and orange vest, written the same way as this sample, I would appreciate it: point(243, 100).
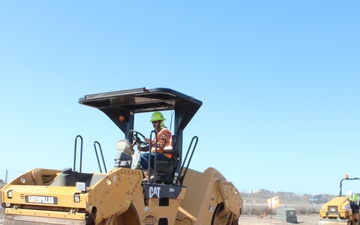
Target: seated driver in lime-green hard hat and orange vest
point(159, 145)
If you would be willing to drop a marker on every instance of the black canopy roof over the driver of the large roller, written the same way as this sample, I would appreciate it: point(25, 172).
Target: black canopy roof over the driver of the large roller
point(120, 106)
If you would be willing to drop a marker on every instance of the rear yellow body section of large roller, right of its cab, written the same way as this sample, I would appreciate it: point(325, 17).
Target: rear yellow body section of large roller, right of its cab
point(210, 198)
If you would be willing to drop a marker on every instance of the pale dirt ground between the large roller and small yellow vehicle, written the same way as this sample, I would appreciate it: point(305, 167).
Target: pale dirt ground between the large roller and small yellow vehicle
point(301, 219)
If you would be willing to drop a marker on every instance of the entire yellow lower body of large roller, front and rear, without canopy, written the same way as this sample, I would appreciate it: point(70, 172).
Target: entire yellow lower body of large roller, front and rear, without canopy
point(118, 197)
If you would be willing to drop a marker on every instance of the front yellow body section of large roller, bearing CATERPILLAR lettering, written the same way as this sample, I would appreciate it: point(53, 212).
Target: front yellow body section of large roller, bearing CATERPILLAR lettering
point(57, 201)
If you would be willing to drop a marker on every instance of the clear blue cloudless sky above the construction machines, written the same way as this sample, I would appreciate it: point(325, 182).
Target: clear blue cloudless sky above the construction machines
point(279, 82)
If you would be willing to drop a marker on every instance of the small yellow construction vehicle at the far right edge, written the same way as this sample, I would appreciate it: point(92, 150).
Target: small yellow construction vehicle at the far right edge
point(339, 209)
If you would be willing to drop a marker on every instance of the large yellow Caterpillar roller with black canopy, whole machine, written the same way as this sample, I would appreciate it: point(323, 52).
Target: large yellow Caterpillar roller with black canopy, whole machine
point(178, 195)
